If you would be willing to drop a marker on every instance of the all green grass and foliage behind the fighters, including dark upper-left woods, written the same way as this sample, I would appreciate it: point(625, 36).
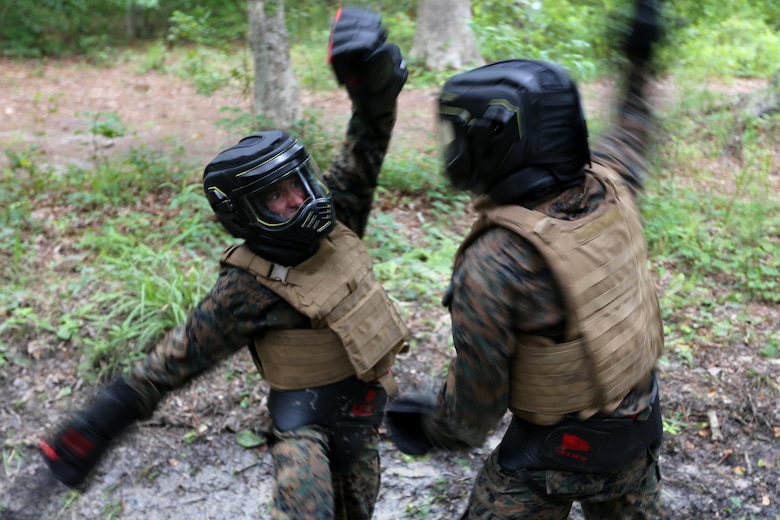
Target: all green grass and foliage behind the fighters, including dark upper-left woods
point(111, 294)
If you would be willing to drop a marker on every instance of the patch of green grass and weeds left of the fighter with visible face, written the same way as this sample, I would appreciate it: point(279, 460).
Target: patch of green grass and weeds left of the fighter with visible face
point(109, 292)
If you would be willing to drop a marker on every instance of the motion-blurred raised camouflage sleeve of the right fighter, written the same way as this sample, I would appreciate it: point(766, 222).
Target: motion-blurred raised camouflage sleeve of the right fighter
point(624, 148)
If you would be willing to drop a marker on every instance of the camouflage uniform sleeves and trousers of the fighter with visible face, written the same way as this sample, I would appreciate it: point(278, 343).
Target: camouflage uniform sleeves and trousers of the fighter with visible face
point(239, 309)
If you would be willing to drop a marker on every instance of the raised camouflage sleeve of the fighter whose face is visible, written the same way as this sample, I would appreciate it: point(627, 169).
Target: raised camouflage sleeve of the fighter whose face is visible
point(354, 174)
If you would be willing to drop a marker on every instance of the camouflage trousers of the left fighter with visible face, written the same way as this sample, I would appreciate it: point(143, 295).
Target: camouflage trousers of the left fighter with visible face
point(304, 487)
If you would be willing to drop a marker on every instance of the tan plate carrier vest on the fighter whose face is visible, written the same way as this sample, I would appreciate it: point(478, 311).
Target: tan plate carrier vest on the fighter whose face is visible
point(356, 329)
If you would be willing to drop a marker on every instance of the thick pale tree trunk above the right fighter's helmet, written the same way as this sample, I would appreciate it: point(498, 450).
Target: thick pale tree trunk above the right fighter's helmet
point(443, 39)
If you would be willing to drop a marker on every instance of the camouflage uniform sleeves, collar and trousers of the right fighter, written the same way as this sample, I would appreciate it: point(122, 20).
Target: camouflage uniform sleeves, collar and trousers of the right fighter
point(471, 402)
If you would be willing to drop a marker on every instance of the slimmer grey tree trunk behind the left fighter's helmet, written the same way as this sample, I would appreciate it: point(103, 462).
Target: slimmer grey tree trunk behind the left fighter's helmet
point(276, 100)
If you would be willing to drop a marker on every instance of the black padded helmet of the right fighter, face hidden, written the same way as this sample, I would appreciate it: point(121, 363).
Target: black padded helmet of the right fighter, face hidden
point(513, 129)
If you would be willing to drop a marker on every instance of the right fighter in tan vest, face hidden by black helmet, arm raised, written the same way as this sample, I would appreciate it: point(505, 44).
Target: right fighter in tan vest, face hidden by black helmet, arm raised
point(555, 317)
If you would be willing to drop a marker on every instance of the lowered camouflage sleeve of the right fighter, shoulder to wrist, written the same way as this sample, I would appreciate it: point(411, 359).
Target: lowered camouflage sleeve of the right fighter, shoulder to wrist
point(500, 287)
